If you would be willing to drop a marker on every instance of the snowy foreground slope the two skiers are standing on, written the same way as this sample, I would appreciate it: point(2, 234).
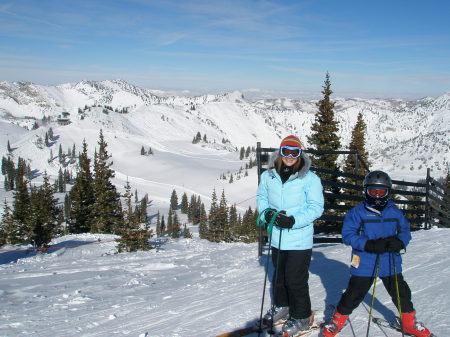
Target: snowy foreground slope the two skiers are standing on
point(192, 287)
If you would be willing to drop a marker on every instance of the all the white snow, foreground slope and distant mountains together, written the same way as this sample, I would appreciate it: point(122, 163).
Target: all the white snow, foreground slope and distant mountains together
point(184, 288)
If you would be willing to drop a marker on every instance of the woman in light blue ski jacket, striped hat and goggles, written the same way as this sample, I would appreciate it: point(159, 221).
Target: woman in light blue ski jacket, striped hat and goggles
point(289, 187)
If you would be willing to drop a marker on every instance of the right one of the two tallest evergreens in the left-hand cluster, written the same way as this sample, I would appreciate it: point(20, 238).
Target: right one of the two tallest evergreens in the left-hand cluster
point(106, 210)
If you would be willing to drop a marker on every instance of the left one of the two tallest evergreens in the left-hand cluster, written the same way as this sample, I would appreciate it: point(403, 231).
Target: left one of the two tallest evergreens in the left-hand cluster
point(82, 196)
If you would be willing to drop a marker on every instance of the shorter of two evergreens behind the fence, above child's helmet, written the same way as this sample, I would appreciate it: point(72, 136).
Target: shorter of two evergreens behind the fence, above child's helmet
point(358, 144)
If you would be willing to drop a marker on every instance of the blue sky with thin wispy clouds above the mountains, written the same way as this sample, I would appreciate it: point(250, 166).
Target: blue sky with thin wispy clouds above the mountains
point(396, 48)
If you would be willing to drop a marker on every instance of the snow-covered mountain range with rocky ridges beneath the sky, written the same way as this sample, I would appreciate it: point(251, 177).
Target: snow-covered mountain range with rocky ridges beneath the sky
point(403, 137)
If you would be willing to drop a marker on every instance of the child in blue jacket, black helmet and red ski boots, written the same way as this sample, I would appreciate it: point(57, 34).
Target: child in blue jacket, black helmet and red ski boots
point(377, 230)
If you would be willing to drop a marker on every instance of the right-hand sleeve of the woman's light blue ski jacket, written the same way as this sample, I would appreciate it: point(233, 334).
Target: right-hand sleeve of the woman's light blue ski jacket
point(314, 204)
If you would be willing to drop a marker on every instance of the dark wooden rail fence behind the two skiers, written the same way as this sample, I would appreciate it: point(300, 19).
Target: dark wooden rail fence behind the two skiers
point(424, 204)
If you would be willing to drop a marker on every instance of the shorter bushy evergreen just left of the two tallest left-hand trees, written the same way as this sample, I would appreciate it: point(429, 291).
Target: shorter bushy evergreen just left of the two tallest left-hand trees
point(44, 214)
